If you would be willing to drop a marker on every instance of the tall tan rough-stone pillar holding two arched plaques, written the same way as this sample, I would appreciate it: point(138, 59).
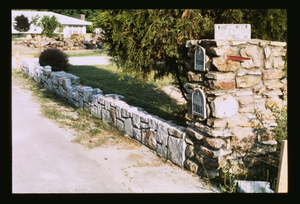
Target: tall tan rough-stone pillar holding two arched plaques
point(233, 91)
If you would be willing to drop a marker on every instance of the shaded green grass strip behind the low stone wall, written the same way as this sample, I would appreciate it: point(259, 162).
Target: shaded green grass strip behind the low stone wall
point(107, 79)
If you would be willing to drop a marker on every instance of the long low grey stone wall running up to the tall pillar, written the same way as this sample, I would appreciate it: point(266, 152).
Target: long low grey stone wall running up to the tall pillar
point(164, 137)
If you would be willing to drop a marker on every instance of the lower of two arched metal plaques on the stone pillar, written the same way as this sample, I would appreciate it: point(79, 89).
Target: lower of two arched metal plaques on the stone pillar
point(199, 103)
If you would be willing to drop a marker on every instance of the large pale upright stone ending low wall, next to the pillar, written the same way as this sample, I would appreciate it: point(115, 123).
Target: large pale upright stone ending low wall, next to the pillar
point(176, 151)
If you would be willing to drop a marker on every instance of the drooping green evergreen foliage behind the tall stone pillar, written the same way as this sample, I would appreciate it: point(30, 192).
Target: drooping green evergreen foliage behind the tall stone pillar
point(146, 40)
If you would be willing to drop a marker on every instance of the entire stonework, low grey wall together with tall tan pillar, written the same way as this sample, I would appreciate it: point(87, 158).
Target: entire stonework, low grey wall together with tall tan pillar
point(232, 91)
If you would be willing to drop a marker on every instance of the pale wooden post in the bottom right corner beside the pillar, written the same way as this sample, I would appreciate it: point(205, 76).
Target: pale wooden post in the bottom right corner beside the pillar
point(282, 175)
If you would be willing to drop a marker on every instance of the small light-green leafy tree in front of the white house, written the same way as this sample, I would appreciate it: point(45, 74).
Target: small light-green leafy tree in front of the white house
point(48, 24)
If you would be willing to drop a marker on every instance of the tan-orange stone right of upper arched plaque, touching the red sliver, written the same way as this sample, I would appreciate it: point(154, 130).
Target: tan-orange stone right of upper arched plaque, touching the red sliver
point(223, 65)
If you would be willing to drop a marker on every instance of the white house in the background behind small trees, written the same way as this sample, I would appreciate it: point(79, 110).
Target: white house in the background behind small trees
point(70, 25)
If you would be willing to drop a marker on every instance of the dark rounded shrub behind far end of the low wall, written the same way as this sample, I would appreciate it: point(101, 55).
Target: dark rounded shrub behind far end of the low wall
point(57, 59)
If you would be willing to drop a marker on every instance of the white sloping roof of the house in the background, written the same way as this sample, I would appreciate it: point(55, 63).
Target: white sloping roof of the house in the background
point(65, 20)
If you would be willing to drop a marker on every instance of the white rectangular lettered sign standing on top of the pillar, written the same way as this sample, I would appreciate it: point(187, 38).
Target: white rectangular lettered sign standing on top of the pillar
point(232, 31)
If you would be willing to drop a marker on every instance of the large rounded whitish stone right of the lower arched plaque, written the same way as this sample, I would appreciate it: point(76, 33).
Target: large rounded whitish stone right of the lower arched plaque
point(224, 106)
